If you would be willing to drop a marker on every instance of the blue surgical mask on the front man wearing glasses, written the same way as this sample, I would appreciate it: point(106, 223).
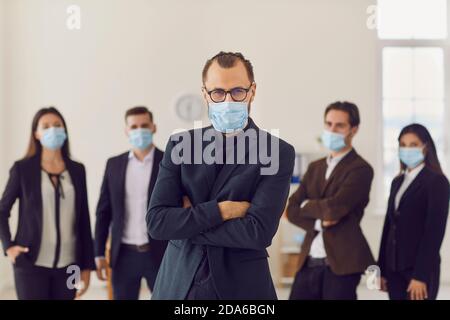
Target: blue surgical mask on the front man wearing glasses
point(228, 117)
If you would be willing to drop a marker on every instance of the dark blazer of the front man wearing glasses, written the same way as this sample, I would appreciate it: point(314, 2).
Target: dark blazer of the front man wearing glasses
point(236, 249)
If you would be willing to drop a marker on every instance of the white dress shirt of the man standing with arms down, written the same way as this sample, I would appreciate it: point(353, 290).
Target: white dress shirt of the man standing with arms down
point(136, 198)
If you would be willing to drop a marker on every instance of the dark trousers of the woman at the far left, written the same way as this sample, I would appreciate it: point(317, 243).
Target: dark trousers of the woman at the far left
point(39, 283)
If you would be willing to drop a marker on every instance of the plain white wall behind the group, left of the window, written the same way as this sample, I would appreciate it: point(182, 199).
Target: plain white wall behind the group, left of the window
point(306, 54)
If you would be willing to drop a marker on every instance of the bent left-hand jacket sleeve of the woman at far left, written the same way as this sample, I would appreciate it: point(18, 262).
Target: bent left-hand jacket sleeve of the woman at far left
point(10, 195)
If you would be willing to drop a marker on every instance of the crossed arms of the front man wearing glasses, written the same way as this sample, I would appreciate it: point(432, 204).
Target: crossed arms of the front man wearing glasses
point(218, 223)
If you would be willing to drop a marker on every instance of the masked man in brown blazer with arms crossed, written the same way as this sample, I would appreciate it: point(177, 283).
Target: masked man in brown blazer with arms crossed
point(329, 205)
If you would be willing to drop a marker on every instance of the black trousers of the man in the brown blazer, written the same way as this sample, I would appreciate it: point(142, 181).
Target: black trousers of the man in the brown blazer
point(320, 283)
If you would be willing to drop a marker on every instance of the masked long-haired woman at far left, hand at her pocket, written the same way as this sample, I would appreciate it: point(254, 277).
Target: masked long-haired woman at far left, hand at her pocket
point(53, 247)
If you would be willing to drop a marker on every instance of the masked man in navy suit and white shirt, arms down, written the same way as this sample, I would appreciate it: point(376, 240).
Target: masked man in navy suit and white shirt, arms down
point(125, 193)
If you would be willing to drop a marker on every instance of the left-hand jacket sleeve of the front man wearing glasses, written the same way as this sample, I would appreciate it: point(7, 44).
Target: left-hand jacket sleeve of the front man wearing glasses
point(166, 218)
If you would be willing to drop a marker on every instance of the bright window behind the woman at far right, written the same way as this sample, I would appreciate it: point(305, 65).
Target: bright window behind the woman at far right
point(413, 49)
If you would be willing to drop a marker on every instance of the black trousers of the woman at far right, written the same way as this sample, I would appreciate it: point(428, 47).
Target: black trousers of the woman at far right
point(398, 282)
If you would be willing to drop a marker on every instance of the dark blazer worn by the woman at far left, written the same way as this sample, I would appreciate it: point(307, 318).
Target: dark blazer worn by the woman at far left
point(25, 184)
